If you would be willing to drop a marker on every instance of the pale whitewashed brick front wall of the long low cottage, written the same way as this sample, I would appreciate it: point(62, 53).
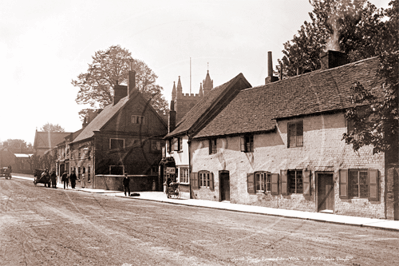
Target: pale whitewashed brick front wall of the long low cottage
point(323, 150)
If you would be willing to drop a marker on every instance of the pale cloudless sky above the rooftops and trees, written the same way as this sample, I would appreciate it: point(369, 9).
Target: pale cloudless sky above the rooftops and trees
point(44, 44)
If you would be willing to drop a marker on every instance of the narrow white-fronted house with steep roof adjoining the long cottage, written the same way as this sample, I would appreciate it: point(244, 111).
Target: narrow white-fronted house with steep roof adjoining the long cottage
point(177, 157)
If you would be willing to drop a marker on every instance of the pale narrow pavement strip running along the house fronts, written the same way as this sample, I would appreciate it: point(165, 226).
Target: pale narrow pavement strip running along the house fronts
point(225, 205)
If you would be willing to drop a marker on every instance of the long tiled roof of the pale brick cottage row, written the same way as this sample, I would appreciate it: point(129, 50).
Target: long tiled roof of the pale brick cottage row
point(254, 109)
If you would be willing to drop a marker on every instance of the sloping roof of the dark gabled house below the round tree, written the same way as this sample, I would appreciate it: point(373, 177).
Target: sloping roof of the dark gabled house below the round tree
point(109, 111)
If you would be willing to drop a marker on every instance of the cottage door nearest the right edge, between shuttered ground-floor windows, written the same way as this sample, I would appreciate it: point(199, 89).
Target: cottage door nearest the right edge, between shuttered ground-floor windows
point(325, 192)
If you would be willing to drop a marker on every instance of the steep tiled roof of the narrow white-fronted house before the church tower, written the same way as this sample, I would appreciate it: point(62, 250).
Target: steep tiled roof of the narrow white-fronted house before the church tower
point(208, 104)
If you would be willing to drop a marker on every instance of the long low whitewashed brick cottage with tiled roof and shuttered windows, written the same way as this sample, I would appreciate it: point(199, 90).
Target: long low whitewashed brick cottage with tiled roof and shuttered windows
point(280, 145)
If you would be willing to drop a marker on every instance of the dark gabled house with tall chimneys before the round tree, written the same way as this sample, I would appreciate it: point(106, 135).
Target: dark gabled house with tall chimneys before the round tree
point(125, 137)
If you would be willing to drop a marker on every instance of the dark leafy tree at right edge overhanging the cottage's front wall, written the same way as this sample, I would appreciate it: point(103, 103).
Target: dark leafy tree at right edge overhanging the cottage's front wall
point(375, 115)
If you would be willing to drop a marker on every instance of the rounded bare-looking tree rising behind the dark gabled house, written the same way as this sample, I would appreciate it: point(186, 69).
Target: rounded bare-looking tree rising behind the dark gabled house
point(110, 67)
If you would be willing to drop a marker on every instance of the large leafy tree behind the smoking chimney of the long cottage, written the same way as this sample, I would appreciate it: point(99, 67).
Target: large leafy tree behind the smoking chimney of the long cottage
point(350, 26)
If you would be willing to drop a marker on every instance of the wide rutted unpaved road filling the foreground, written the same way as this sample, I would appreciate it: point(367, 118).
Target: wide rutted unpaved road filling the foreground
point(45, 226)
